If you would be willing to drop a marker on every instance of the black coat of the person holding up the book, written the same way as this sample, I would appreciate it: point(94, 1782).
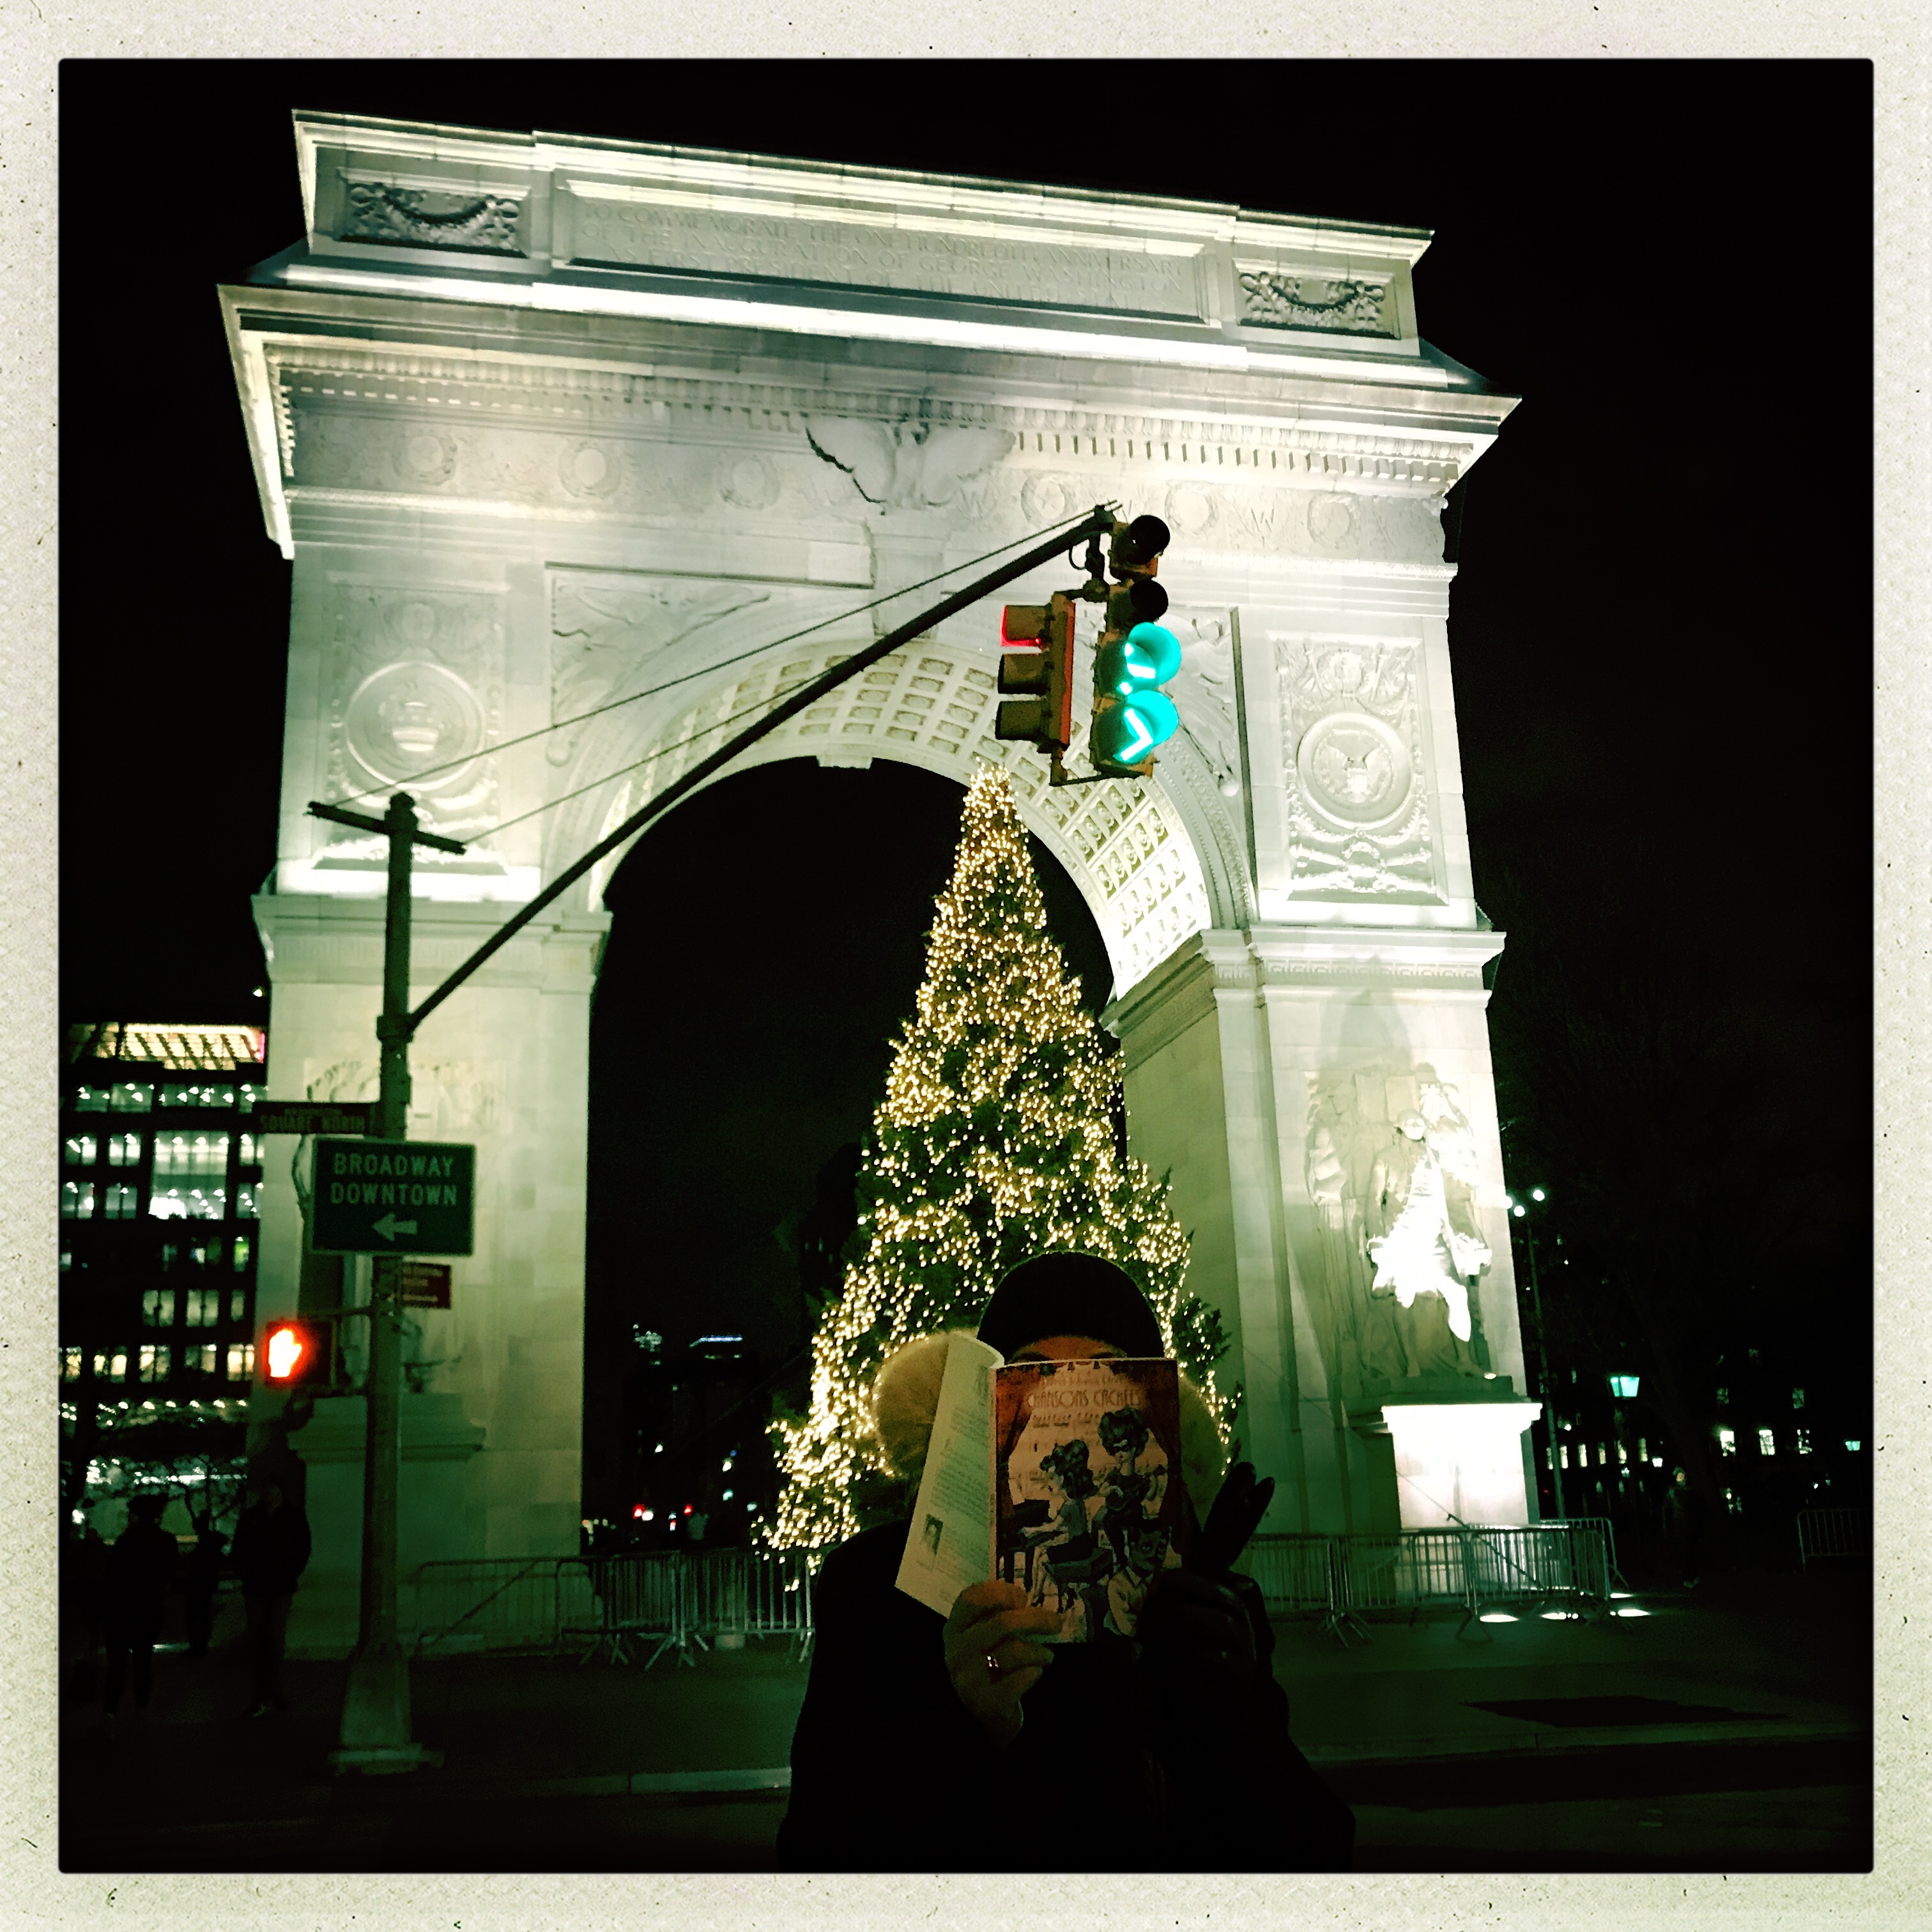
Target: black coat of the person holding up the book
point(892, 1775)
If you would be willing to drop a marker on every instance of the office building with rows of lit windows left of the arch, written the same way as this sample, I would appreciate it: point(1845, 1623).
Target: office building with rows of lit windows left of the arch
point(159, 1226)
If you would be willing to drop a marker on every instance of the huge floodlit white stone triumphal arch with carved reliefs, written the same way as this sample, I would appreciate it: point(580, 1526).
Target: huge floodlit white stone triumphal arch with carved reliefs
point(546, 424)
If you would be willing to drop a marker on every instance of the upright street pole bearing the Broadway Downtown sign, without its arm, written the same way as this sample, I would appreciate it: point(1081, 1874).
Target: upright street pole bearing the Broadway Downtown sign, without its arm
point(376, 1715)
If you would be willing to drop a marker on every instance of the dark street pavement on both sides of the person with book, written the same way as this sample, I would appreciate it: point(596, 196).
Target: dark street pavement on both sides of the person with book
point(1724, 1730)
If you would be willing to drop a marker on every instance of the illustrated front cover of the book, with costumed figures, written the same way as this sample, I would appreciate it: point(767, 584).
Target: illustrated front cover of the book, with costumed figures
point(1089, 1489)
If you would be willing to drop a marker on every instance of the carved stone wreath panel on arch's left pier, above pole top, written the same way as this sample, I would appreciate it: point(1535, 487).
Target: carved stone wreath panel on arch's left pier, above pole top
point(414, 698)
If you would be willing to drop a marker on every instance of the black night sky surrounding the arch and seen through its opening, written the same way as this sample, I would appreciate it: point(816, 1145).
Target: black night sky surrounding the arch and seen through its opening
point(1661, 629)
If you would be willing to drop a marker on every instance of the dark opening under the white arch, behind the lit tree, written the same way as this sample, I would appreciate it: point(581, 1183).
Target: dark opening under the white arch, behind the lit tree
point(768, 940)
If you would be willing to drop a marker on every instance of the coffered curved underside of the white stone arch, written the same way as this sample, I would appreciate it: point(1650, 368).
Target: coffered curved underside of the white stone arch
point(1125, 845)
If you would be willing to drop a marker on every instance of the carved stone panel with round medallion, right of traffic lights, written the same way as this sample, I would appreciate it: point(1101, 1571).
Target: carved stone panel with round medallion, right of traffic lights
point(1357, 789)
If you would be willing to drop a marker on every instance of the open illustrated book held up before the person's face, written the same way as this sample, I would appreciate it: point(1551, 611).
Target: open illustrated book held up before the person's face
point(1062, 1477)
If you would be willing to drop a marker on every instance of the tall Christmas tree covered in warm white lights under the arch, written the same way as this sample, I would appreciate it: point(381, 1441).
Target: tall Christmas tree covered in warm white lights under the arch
point(996, 1143)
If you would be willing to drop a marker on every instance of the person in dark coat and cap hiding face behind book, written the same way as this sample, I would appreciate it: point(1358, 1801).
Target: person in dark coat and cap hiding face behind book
point(924, 1736)
